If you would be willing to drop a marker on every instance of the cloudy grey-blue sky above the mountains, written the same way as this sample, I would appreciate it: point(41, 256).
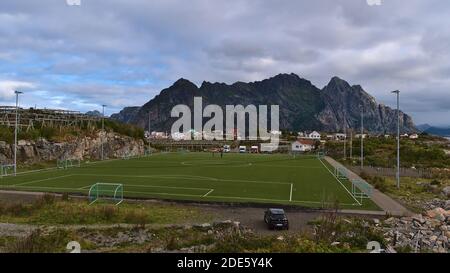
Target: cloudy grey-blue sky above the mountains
point(123, 52)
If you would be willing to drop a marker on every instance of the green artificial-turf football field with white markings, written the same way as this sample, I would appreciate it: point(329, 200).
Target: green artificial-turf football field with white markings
point(251, 178)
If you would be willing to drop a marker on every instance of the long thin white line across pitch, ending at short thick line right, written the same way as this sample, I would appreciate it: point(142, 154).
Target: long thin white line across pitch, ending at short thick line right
point(188, 178)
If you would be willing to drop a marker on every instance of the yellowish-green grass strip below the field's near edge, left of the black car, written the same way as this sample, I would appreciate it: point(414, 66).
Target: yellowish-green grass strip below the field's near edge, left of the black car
point(48, 211)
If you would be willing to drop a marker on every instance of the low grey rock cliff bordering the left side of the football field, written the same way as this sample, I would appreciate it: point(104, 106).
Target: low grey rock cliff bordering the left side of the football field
point(85, 148)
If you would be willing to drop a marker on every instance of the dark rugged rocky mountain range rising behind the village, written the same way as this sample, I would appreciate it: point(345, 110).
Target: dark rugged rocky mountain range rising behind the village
point(303, 106)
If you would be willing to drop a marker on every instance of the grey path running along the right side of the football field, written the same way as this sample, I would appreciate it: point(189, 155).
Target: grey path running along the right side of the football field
point(386, 203)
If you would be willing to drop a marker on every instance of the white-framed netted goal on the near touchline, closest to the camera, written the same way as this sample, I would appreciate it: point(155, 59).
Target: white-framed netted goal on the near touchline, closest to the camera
point(106, 191)
